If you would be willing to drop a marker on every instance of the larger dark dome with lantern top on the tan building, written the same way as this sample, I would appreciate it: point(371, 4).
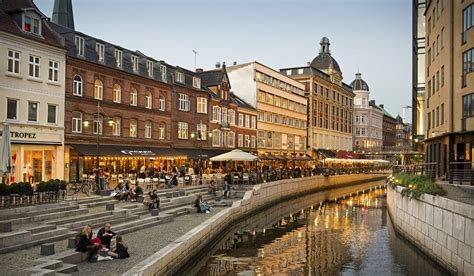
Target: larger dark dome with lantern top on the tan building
point(325, 62)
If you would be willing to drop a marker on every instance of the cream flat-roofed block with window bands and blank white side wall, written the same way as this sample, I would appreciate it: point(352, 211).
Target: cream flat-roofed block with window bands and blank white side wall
point(281, 106)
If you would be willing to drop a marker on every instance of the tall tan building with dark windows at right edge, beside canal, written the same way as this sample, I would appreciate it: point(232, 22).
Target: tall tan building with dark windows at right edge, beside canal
point(449, 93)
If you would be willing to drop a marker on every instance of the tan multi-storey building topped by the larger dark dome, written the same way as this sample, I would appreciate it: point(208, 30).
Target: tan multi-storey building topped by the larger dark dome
point(330, 101)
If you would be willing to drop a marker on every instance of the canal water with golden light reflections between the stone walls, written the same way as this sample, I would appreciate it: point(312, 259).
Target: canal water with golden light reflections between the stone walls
point(350, 236)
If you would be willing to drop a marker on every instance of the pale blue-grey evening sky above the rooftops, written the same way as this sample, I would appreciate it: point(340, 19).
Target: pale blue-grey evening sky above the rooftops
point(370, 36)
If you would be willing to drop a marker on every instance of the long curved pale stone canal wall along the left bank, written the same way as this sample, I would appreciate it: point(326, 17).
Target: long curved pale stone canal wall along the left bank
point(169, 259)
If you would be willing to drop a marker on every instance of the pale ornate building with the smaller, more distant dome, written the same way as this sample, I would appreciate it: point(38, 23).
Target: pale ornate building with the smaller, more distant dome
point(368, 118)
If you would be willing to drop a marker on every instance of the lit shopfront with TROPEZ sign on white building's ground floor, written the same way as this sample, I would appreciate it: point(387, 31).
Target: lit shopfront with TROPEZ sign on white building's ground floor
point(37, 154)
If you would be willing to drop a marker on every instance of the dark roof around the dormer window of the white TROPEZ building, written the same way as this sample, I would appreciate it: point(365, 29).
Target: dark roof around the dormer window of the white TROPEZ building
point(8, 8)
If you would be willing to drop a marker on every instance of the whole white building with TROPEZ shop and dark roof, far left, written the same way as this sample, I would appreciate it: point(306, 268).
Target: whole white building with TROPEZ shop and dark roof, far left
point(32, 85)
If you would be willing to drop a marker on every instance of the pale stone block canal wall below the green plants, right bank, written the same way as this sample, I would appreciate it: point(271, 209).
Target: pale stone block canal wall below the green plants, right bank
point(440, 227)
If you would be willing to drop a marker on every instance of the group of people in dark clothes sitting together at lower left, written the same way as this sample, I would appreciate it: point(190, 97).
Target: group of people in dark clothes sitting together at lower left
point(98, 248)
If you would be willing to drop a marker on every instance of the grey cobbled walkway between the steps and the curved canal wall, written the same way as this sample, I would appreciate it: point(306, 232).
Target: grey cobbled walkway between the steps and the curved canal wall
point(145, 243)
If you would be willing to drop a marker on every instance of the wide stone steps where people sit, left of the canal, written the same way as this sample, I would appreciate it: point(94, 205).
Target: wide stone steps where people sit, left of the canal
point(43, 224)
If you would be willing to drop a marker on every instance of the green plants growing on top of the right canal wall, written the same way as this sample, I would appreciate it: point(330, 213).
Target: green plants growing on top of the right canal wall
point(416, 185)
